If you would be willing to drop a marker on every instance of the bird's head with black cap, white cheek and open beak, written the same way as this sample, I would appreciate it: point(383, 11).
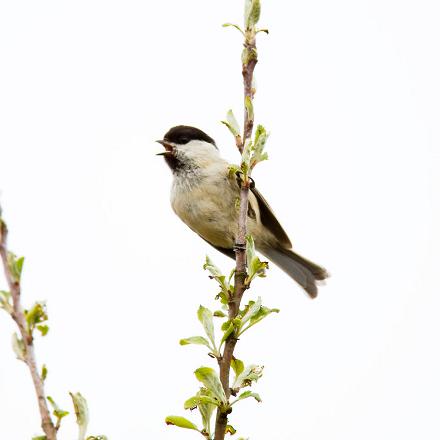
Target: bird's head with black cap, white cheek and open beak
point(188, 148)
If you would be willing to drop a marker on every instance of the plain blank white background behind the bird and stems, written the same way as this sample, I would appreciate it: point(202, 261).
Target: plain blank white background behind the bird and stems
point(350, 92)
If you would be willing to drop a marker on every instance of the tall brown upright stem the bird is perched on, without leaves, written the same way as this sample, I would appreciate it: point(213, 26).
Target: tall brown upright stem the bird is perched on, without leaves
point(224, 361)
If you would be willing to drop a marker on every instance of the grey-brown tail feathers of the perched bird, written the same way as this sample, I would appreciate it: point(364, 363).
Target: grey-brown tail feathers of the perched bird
point(303, 271)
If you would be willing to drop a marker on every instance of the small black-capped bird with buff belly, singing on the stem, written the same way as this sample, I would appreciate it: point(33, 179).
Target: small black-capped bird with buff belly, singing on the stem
point(204, 196)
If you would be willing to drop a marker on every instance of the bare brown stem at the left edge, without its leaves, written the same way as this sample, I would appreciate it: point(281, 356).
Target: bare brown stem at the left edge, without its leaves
point(18, 316)
